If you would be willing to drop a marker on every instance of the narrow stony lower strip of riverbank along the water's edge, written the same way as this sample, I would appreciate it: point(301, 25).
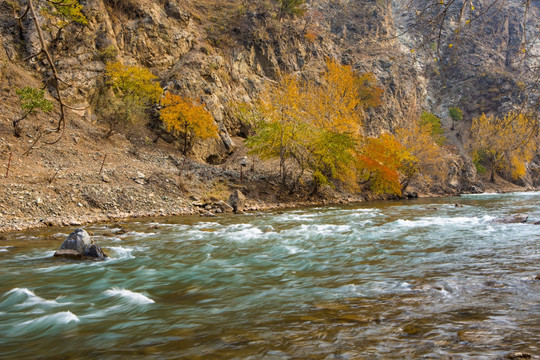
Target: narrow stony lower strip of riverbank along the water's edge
point(62, 203)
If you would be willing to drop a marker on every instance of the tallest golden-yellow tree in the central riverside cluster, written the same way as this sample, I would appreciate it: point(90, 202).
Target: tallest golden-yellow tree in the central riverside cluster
point(336, 107)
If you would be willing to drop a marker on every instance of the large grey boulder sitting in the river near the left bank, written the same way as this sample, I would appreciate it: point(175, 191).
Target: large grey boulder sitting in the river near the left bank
point(79, 246)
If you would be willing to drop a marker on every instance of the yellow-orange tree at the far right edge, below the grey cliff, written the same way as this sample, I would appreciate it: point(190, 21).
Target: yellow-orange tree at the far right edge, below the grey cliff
point(507, 143)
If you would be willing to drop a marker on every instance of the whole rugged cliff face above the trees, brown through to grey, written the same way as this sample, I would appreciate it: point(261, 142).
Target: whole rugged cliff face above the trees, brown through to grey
point(223, 54)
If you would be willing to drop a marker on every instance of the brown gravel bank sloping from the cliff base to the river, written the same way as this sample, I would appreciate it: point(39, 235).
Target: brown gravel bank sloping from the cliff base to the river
point(91, 179)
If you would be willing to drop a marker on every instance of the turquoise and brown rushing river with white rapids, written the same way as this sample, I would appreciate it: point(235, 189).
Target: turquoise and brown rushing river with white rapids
point(381, 280)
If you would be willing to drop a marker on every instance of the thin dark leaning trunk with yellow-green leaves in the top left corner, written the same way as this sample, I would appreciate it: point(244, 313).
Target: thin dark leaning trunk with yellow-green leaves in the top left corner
point(59, 13)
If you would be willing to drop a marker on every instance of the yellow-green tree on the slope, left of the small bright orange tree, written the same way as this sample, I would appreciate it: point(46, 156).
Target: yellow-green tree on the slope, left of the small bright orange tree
point(130, 91)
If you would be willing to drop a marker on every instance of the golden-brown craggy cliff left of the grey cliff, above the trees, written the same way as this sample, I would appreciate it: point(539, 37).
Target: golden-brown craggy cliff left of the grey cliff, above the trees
point(221, 56)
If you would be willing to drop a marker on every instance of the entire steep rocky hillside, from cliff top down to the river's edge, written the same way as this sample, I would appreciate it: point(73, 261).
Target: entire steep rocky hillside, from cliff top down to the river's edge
point(222, 54)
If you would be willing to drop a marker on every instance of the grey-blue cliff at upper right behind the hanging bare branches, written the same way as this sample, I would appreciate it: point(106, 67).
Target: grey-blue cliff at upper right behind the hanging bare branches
point(487, 65)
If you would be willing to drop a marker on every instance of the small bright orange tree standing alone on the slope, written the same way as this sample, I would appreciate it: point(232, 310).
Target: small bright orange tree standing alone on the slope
point(187, 119)
